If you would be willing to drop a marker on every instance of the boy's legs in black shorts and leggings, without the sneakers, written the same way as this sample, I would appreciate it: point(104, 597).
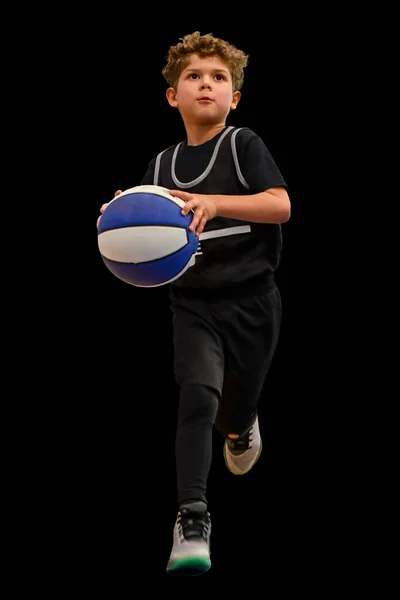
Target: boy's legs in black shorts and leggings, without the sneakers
point(223, 351)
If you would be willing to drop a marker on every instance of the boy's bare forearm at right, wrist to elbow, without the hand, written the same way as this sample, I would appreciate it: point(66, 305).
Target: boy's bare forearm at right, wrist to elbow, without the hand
point(265, 207)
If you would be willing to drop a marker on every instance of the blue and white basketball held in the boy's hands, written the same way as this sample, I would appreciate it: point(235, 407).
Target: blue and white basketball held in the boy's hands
point(143, 238)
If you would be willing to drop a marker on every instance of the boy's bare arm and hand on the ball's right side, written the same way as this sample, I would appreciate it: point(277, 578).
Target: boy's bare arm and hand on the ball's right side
point(271, 206)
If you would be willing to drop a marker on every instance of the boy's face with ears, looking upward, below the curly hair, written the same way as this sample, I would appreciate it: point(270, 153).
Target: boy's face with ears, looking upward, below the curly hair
point(204, 93)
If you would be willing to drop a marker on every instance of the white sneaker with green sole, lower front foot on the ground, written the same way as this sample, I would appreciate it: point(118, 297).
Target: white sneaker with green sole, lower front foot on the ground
point(190, 554)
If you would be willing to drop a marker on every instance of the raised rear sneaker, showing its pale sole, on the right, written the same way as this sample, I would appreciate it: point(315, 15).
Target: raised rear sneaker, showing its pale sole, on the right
point(241, 454)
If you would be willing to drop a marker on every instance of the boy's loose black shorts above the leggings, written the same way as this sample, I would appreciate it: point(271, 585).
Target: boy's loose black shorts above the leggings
point(227, 344)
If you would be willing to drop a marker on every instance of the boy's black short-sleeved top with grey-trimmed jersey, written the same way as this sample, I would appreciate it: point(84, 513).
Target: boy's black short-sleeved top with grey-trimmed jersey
point(231, 252)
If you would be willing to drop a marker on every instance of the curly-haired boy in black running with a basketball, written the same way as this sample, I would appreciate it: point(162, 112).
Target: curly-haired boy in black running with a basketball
point(226, 309)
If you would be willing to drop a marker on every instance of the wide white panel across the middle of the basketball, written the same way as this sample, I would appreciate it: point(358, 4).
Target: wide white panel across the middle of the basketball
point(131, 244)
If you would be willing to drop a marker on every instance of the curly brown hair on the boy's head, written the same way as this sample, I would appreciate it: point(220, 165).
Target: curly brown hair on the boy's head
point(204, 45)
